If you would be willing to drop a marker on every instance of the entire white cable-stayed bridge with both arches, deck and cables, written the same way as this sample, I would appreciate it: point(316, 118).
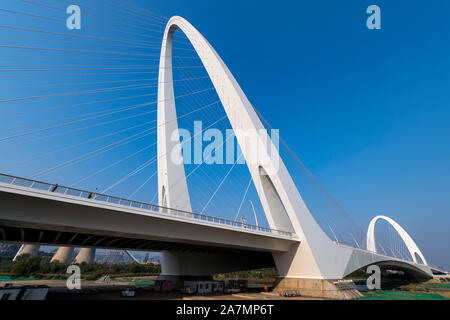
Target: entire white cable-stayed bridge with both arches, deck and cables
point(307, 255)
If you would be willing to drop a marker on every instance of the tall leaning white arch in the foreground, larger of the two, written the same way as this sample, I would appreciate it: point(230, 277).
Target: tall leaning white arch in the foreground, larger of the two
point(282, 203)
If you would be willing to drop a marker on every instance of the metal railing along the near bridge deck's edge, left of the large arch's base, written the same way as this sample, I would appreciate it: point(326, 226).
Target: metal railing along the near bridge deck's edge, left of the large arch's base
point(93, 196)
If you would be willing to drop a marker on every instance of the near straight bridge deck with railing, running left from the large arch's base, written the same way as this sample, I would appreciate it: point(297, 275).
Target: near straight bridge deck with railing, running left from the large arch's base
point(42, 211)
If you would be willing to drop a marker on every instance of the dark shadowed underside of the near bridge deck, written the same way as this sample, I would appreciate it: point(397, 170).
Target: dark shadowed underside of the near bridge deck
point(222, 259)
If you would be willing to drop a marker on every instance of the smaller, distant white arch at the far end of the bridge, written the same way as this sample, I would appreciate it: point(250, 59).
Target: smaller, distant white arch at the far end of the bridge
point(409, 242)
